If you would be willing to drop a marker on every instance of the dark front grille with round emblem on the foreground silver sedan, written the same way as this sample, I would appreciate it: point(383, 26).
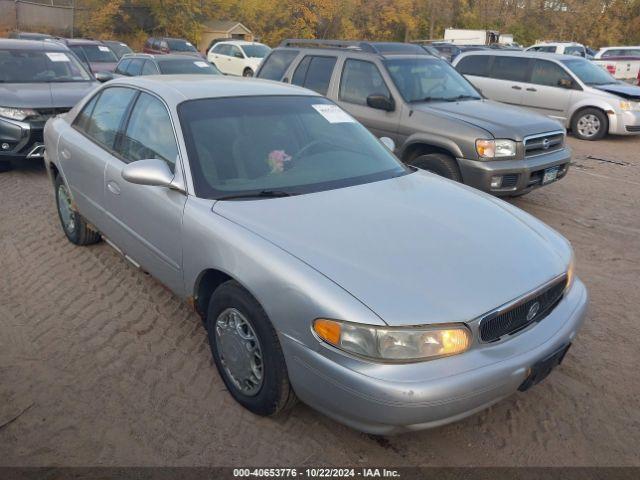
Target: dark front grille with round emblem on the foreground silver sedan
point(518, 316)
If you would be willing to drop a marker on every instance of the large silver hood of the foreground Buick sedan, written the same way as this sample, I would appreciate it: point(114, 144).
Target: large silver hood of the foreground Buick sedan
point(415, 249)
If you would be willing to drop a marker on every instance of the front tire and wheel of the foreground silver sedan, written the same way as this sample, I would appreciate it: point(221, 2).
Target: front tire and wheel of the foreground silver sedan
point(232, 304)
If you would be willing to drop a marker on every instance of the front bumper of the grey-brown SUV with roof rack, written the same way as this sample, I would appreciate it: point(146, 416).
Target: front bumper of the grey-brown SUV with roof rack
point(522, 175)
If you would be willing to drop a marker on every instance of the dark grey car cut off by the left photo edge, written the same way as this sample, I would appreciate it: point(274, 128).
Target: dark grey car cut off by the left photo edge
point(38, 80)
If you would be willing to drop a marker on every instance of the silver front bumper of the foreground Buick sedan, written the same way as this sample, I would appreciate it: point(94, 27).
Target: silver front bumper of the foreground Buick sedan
point(387, 398)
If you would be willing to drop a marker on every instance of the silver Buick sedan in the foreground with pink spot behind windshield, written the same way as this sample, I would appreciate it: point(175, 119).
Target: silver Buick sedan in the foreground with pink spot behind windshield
point(386, 297)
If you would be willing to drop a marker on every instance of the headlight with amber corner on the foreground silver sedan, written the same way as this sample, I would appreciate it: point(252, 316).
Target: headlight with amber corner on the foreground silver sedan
point(393, 344)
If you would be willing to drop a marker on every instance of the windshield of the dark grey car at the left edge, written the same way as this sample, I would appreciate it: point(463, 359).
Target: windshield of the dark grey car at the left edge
point(37, 66)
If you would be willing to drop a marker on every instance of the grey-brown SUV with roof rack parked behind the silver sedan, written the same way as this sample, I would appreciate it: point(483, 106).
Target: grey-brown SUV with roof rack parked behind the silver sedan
point(438, 120)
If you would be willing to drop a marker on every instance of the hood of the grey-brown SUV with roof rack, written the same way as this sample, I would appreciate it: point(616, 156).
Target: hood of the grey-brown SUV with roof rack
point(499, 120)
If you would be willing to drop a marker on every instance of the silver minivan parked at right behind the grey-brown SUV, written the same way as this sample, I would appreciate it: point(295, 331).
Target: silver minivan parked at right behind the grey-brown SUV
point(575, 91)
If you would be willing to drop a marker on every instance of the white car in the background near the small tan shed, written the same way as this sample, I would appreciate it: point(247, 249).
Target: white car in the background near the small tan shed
point(238, 57)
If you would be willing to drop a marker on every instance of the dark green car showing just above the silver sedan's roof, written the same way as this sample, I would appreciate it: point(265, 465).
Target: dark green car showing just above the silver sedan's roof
point(136, 64)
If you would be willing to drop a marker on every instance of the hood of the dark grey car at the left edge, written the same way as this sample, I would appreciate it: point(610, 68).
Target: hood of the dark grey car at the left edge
point(44, 95)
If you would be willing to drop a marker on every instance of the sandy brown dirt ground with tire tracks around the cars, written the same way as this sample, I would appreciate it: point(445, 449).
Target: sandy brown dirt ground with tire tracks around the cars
point(100, 365)
